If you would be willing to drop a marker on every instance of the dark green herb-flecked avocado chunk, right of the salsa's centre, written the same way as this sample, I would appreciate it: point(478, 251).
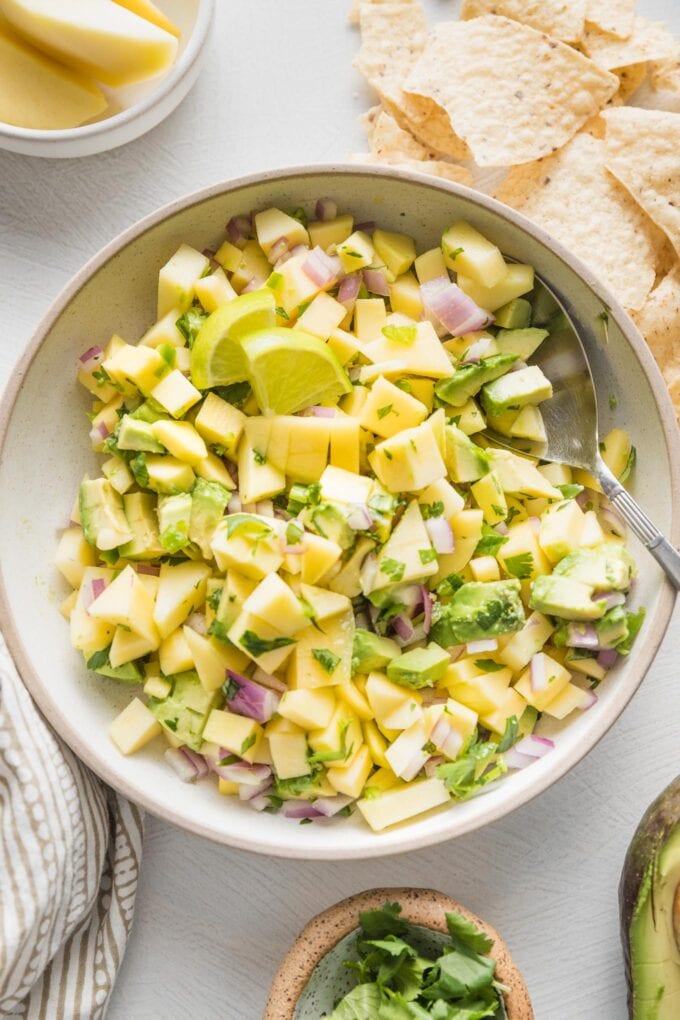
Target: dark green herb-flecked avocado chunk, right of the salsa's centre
point(480, 609)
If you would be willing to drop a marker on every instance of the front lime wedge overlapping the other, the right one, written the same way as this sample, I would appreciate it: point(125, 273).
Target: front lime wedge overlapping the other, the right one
point(290, 370)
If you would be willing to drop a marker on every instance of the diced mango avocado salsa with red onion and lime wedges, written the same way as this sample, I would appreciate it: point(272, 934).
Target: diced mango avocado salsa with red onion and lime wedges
point(334, 593)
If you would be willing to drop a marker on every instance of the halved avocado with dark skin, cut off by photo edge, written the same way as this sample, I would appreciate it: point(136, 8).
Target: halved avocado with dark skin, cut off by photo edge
point(650, 909)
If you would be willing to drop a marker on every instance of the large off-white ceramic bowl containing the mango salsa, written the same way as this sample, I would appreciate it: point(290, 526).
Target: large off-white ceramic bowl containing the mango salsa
point(44, 452)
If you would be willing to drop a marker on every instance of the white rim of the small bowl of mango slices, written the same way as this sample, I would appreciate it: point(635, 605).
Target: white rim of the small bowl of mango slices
point(167, 85)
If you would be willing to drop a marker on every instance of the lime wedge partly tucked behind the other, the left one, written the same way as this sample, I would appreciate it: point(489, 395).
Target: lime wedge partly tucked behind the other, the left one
point(217, 356)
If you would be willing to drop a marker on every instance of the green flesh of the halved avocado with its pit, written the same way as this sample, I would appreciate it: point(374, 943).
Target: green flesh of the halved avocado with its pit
point(654, 952)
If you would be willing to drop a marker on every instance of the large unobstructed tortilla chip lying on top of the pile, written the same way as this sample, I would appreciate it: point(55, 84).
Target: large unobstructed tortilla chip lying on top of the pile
point(512, 93)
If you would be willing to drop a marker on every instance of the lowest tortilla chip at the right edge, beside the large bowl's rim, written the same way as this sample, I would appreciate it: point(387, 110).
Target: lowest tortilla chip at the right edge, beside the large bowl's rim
point(659, 322)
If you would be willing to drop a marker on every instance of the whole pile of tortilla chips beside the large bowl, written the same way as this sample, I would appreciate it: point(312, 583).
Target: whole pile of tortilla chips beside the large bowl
point(540, 88)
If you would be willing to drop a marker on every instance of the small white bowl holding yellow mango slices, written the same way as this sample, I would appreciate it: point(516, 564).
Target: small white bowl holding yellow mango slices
point(141, 108)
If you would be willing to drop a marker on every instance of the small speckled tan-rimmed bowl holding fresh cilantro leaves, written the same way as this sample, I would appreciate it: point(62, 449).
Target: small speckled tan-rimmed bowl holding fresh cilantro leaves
point(312, 977)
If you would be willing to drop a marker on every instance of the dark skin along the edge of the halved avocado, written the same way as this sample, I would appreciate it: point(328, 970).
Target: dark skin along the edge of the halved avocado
point(657, 827)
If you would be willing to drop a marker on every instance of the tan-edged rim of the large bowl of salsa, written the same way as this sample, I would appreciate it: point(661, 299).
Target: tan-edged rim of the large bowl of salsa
point(403, 841)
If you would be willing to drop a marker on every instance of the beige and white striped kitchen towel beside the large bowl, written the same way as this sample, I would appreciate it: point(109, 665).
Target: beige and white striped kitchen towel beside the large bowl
point(70, 860)
